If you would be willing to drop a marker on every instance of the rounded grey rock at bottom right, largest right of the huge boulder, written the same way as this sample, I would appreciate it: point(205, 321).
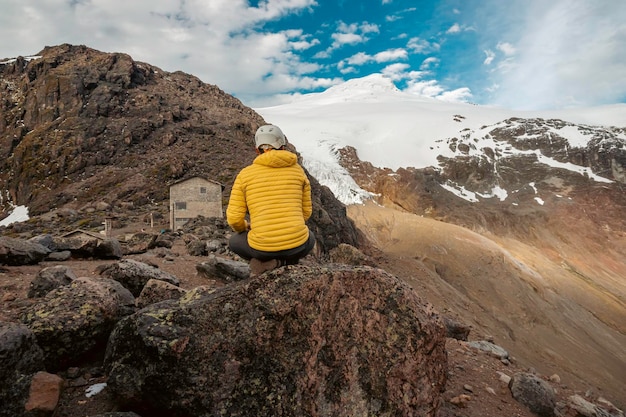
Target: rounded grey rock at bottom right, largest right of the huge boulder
point(534, 393)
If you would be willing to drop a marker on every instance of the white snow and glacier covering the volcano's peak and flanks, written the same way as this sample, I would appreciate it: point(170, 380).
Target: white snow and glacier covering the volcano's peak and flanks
point(393, 129)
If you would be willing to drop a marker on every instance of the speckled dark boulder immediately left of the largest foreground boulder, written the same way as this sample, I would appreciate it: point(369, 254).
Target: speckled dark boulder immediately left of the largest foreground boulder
point(74, 321)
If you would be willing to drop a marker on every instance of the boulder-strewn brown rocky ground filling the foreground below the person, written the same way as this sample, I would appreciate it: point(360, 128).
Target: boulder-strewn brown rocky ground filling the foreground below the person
point(473, 375)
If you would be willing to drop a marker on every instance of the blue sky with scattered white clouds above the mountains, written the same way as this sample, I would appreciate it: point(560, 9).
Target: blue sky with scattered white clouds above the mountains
point(519, 54)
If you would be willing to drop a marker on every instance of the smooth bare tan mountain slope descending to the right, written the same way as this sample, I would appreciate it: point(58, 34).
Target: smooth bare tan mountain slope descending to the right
point(549, 315)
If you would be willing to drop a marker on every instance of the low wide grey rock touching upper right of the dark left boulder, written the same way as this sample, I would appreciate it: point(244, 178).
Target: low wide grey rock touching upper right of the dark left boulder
point(134, 274)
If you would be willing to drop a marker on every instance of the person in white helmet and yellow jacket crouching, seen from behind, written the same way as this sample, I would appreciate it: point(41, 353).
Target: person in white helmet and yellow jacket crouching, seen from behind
point(276, 193)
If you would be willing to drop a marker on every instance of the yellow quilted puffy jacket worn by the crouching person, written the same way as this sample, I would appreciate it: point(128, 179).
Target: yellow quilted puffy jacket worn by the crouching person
point(277, 193)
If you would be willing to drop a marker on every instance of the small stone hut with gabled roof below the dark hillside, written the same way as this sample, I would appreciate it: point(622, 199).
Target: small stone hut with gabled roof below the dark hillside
point(193, 197)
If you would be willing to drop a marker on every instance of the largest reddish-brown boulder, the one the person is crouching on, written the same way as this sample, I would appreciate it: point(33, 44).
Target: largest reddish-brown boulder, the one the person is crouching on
point(296, 341)
